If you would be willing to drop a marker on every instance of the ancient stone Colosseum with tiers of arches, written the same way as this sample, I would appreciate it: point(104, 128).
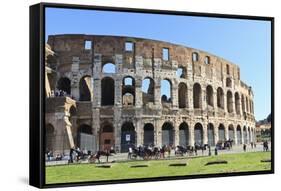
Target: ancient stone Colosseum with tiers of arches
point(107, 92)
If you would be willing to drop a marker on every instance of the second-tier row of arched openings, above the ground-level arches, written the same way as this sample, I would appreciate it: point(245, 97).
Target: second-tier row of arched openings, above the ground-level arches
point(233, 101)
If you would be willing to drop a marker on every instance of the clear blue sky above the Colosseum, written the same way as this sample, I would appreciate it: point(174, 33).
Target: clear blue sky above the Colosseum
point(243, 42)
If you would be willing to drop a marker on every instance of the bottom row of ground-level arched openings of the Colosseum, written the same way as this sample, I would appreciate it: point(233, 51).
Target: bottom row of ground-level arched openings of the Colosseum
point(185, 135)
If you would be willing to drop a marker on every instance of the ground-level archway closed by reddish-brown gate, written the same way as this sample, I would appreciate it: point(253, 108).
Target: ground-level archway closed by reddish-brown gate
point(106, 136)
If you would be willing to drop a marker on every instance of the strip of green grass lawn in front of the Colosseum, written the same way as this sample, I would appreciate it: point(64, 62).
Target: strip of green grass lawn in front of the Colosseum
point(156, 168)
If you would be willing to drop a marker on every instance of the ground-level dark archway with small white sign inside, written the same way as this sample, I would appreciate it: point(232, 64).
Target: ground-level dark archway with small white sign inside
point(128, 136)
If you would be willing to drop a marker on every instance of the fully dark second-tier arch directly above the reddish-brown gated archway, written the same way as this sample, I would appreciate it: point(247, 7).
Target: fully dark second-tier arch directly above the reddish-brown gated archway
point(107, 91)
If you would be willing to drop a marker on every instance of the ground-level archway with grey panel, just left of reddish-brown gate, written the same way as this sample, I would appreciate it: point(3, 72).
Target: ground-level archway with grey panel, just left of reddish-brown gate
point(85, 138)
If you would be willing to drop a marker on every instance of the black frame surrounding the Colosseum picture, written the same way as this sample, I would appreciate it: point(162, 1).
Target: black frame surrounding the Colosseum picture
point(37, 92)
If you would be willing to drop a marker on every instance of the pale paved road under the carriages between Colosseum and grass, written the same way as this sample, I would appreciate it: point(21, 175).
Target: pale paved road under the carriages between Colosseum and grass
point(124, 156)
